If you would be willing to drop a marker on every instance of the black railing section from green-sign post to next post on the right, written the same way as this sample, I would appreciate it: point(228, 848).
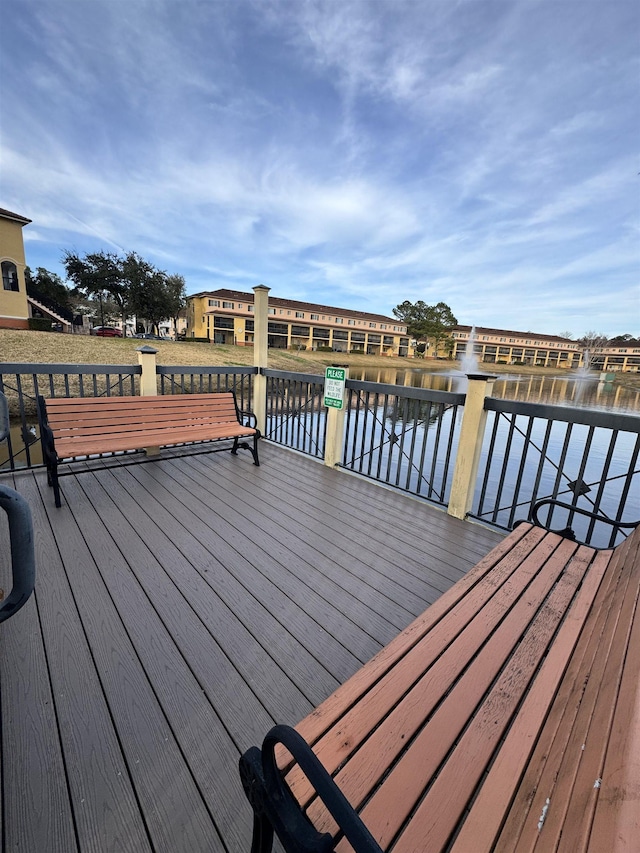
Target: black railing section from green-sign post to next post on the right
point(403, 436)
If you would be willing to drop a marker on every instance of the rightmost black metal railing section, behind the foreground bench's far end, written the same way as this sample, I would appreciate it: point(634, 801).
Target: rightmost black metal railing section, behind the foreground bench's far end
point(580, 457)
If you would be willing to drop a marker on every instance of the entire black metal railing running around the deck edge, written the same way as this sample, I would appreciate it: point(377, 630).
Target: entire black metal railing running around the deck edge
point(405, 437)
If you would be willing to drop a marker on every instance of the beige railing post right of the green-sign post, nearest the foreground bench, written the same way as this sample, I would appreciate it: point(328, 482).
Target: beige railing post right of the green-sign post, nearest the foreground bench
point(474, 419)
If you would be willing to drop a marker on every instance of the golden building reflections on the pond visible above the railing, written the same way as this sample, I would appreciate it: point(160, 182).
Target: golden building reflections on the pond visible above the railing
point(570, 390)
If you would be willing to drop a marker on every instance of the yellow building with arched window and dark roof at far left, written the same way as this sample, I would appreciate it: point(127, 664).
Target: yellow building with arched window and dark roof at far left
point(14, 309)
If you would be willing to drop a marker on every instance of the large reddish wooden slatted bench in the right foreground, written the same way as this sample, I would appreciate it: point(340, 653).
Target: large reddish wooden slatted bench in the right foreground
point(505, 718)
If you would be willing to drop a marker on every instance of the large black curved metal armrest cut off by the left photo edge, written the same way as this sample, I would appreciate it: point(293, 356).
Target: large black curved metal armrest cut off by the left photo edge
point(23, 565)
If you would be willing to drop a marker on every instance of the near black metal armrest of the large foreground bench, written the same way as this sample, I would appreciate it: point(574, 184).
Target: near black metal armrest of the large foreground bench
point(271, 797)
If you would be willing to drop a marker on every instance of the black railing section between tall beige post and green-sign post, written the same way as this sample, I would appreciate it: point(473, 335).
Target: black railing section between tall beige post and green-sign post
point(295, 415)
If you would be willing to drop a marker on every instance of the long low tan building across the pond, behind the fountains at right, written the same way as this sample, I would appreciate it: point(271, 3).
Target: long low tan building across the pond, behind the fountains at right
point(501, 346)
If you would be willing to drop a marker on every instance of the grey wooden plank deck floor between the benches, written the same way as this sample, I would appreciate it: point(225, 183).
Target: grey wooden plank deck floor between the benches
point(181, 608)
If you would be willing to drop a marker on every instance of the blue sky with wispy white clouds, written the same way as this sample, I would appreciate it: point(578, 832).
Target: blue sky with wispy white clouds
point(349, 153)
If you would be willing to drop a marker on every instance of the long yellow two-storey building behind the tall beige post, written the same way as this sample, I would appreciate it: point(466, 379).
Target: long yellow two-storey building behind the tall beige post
point(226, 317)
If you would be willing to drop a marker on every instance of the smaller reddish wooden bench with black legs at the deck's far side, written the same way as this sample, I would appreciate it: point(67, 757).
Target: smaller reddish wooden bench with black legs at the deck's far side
point(73, 427)
